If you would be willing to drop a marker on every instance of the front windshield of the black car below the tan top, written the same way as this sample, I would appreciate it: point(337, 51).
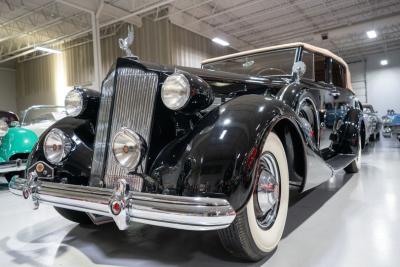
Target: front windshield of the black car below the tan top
point(271, 63)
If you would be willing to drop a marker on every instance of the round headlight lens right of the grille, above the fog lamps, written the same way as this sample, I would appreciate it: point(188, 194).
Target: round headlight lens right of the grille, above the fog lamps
point(175, 91)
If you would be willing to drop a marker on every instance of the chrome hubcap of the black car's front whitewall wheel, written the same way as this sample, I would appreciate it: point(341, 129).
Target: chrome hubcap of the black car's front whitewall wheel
point(268, 191)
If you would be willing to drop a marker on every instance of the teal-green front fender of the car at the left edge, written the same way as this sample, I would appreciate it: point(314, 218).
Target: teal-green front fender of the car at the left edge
point(17, 141)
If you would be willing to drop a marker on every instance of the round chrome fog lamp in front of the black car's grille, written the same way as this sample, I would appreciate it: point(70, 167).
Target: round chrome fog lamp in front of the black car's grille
point(128, 148)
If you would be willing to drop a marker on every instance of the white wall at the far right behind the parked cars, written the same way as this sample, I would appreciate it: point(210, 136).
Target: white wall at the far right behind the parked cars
point(382, 82)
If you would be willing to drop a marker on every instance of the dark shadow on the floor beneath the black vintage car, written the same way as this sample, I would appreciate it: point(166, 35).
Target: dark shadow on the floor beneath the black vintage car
point(158, 246)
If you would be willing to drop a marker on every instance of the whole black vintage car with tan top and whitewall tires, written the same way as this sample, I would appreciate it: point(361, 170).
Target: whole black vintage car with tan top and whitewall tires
point(217, 148)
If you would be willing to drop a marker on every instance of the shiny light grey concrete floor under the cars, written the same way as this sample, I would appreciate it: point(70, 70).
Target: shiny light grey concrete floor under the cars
point(347, 221)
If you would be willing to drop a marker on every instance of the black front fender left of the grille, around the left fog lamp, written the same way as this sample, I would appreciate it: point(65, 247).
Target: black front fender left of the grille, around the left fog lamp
point(77, 165)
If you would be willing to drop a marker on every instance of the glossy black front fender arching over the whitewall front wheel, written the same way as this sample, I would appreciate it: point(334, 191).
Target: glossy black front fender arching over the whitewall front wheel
point(217, 157)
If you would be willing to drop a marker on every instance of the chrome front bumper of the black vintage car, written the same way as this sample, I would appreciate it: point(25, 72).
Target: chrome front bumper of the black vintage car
point(123, 206)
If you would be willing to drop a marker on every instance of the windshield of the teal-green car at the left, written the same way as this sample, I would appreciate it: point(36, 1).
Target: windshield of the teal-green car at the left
point(43, 115)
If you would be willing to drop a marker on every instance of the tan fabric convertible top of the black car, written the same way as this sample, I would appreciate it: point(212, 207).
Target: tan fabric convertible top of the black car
point(309, 47)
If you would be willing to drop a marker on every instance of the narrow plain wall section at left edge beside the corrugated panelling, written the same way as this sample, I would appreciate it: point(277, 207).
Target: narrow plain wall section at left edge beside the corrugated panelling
point(7, 90)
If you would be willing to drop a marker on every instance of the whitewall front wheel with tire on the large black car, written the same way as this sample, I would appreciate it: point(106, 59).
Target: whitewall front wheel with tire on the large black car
point(258, 228)
